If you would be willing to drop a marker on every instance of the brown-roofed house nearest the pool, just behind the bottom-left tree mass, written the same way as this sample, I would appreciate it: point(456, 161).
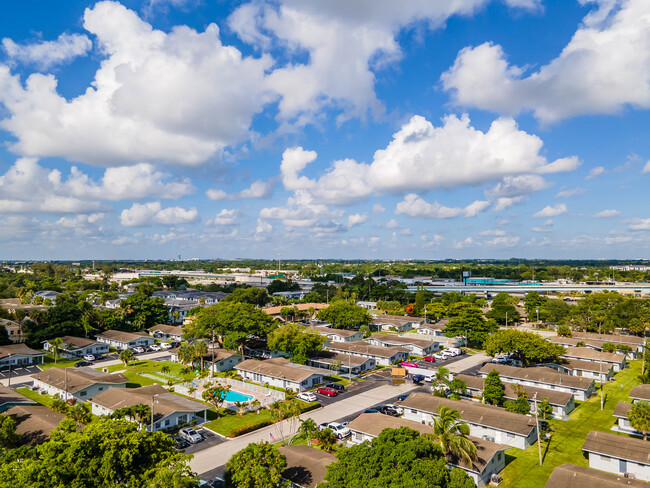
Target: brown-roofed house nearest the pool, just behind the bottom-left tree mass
point(169, 409)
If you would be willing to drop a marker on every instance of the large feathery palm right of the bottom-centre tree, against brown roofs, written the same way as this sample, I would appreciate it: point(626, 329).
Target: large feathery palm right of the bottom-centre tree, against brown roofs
point(450, 433)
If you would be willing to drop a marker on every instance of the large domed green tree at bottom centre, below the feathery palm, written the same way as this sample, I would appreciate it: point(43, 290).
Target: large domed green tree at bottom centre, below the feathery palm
point(397, 458)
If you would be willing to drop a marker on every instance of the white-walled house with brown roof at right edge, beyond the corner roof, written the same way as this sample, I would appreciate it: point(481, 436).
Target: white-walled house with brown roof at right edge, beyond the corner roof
point(618, 454)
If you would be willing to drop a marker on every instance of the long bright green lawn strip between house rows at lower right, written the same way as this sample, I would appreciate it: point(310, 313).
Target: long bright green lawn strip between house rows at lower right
point(565, 445)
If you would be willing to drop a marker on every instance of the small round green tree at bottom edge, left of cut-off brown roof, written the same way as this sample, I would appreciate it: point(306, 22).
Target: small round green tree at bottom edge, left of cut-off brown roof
point(256, 466)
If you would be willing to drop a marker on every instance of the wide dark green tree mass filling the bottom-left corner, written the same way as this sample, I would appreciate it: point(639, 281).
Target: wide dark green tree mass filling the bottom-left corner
point(104, 453)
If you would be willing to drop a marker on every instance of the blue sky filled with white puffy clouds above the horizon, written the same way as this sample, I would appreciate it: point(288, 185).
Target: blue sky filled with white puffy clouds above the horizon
point(341, 129)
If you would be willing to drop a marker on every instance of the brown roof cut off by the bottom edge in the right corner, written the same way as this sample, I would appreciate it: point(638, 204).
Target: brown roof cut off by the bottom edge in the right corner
point(574, 476)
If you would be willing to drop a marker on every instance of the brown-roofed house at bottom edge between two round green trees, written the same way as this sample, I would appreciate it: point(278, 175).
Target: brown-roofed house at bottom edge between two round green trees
point(306, 466)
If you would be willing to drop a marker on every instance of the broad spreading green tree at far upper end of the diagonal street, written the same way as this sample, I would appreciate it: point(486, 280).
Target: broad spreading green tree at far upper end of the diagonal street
point(529, 347)
